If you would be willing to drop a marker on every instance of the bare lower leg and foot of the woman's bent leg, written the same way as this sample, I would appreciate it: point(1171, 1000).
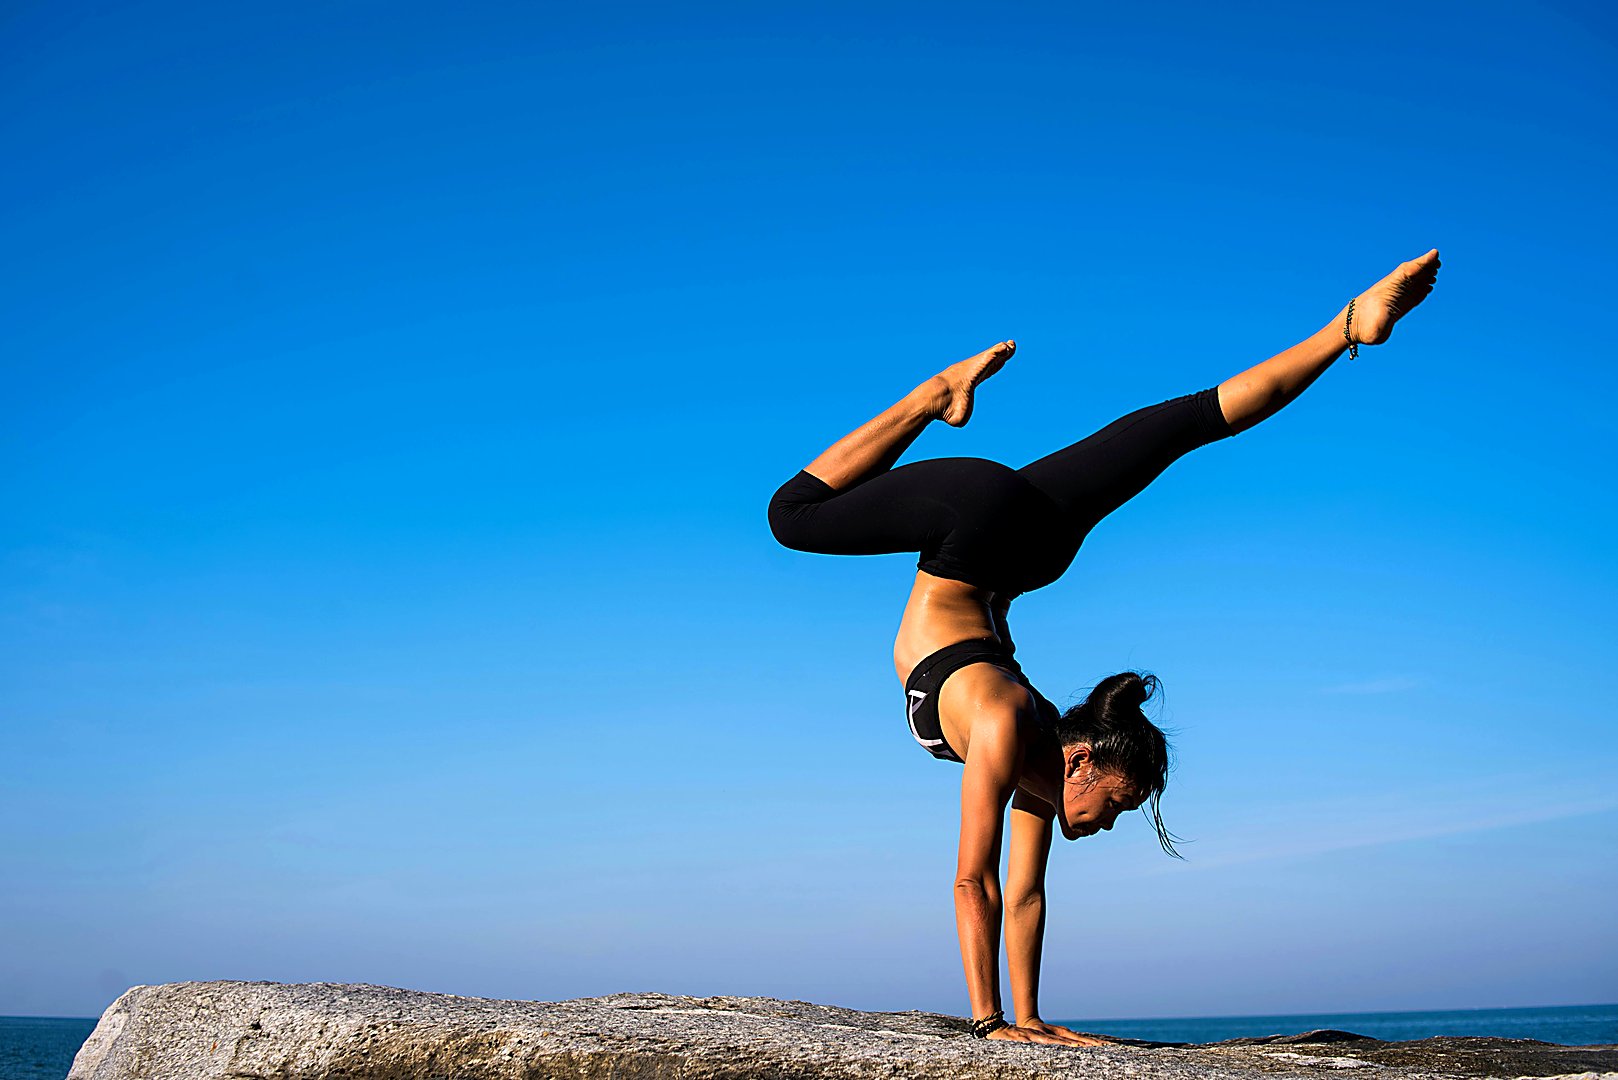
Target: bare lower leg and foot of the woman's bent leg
point(878, 444)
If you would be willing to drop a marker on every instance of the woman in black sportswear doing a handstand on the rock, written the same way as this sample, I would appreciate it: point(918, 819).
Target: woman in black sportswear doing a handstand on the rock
point(989, 534)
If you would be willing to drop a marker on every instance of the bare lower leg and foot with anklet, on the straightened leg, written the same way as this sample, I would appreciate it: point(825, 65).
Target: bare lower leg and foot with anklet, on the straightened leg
point(1264, 389)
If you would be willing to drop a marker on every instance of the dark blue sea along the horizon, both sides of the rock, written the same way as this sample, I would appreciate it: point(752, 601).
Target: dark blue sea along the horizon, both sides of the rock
point(40, 1048)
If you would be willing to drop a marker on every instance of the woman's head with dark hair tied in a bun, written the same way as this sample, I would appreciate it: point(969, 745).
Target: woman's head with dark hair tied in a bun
point(1114, 759)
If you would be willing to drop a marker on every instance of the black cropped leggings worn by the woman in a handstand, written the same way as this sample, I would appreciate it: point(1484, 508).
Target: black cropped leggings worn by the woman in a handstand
point(989, 525)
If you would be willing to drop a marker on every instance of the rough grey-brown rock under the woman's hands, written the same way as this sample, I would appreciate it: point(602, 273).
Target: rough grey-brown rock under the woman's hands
point(328, 1032)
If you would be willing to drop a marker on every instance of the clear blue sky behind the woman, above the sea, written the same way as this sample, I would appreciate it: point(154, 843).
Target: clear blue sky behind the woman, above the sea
point(394, 393)
